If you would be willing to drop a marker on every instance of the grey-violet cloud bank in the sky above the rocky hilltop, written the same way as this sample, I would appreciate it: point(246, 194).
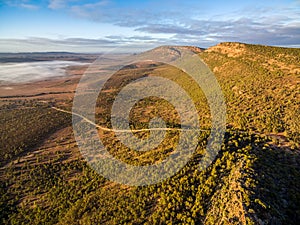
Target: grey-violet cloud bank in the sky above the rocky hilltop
point(242, 30)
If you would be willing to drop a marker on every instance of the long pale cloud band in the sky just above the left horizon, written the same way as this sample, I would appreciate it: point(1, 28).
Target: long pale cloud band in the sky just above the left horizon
point(107, 44)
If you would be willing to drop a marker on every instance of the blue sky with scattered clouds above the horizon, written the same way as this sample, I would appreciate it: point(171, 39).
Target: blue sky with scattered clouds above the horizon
point(135, 25)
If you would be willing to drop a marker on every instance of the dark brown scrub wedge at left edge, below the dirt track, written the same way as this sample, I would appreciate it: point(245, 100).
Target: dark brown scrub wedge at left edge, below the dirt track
point(25, 125)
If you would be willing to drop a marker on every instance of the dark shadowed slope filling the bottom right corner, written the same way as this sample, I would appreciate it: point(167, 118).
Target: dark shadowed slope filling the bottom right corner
point(276, 197)
